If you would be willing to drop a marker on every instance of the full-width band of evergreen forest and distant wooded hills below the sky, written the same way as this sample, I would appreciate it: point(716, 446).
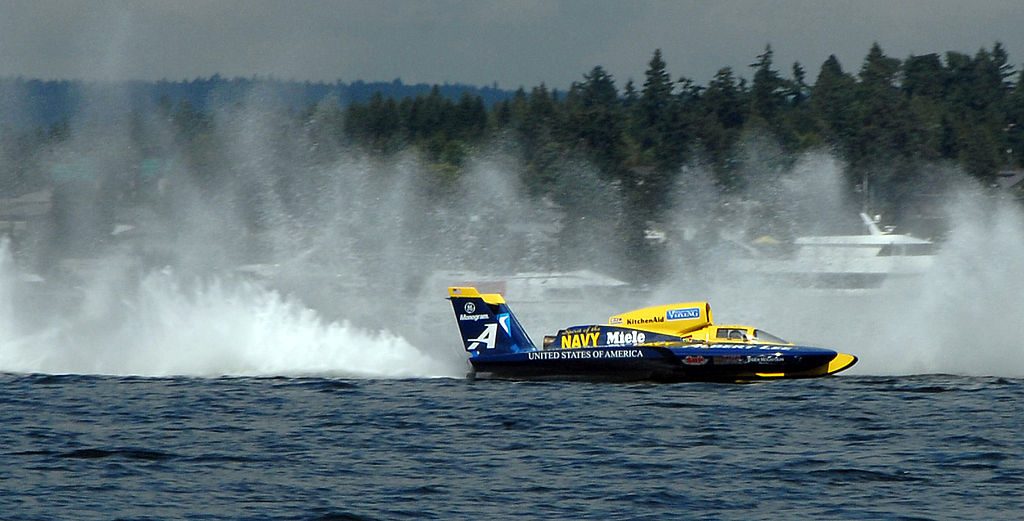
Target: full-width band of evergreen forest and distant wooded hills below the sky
point(894, 124)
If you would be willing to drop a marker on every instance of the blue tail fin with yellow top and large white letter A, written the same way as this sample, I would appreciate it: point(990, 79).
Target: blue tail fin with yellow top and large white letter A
point(487, 324)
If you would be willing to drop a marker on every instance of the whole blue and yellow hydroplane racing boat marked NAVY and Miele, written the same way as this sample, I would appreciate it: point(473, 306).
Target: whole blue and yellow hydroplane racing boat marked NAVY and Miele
point(672, 343)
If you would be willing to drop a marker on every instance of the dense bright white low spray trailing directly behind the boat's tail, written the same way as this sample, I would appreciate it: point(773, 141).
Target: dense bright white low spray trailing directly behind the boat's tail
point(166, 328)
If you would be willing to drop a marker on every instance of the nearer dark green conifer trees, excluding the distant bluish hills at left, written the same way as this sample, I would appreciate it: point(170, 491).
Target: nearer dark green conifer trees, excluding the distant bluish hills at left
point(888, 122)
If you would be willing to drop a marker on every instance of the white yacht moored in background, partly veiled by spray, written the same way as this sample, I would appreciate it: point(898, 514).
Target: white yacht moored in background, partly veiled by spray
point(838, 263)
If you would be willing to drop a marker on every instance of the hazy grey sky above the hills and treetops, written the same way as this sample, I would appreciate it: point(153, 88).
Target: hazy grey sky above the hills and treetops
point(515, 44)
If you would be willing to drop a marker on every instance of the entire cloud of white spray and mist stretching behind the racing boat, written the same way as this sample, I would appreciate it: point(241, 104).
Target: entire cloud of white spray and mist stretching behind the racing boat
point(286, 266)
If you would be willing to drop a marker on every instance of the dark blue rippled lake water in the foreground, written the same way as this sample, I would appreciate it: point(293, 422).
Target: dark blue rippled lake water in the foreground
point(846, 448)
